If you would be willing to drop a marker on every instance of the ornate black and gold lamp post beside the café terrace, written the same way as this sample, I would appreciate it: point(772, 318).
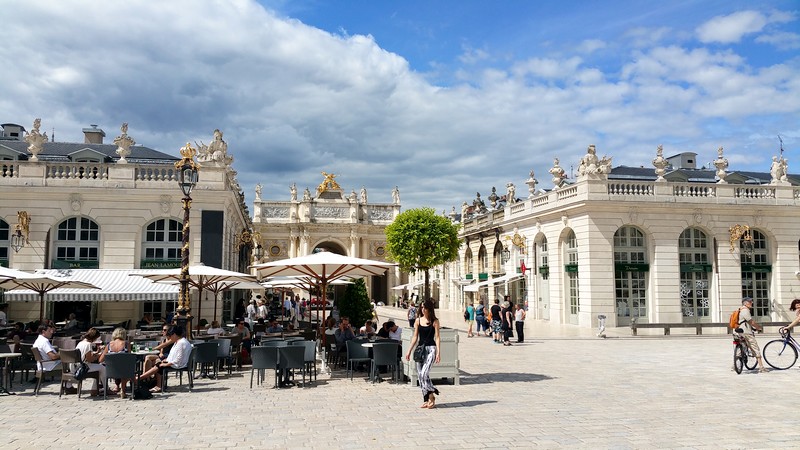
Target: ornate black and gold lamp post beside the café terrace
point(187, 178)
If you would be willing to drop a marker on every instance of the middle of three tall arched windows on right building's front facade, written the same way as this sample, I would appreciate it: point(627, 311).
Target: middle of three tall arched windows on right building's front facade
point(694, 256)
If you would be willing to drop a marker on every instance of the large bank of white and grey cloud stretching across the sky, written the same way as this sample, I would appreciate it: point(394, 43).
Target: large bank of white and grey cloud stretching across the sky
point(293, 100)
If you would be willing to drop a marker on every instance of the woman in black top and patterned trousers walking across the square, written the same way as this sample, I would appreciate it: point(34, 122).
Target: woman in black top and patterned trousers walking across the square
point(426, 331)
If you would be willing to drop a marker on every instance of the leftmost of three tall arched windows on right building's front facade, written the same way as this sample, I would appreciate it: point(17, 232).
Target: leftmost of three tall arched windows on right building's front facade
point(630, 273)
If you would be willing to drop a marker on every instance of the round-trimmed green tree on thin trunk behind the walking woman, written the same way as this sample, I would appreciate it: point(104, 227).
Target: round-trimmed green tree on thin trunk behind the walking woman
point(419, 239)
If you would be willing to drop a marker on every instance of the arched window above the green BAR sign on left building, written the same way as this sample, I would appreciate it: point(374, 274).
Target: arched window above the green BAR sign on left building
point(77, 244)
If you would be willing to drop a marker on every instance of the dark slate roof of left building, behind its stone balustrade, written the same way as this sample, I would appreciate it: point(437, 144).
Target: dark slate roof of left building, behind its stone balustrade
point(60, 151)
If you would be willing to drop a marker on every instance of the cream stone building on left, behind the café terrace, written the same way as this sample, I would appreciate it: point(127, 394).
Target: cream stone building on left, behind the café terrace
point(113, 207)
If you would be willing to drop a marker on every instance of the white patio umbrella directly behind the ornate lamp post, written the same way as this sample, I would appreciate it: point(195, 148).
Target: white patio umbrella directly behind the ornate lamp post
point(202, 278)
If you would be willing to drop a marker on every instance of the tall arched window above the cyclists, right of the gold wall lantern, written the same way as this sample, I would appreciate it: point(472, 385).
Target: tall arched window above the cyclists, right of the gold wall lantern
point(756, 274)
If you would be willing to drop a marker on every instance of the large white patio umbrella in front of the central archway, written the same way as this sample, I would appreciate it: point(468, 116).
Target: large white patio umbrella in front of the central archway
point(325, 267)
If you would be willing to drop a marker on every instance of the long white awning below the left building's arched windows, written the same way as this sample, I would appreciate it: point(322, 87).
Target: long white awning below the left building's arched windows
point(114, 284)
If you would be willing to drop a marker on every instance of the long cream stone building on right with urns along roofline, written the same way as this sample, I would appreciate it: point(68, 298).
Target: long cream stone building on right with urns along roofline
point(676, 243)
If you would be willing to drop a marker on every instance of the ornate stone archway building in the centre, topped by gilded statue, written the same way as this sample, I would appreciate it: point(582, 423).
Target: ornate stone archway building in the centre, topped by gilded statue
point(327, 219)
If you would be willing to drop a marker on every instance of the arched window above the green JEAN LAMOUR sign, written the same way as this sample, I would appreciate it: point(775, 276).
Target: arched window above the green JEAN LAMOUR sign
point(161, 247)
